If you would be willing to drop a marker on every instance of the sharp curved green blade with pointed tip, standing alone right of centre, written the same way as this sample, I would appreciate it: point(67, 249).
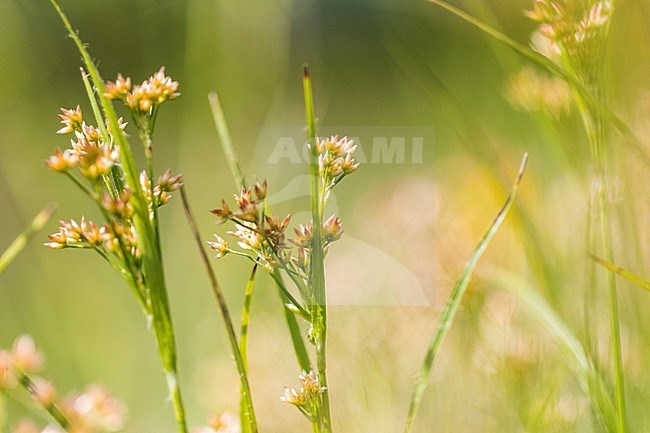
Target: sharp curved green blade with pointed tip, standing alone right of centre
point(449, 311)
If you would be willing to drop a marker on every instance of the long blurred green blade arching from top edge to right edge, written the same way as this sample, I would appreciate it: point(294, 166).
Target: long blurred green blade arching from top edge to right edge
point(537, 58)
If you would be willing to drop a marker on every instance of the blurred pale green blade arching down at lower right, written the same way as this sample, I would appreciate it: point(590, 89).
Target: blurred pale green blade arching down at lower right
point(577, 358)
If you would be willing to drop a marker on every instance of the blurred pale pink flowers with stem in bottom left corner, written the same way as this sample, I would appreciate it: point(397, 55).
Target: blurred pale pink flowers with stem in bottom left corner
point(94, 410)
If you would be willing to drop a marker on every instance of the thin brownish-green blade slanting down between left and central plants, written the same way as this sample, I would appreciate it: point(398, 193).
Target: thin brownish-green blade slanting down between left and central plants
point(225, 315)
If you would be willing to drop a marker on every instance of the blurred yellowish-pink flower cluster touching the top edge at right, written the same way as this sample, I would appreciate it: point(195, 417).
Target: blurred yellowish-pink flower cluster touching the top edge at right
point(570, 29)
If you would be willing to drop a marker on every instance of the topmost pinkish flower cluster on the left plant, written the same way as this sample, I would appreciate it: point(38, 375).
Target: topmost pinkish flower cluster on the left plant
point(145, 97)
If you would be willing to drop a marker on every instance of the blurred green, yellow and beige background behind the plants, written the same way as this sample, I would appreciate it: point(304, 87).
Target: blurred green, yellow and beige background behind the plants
point(380, 68)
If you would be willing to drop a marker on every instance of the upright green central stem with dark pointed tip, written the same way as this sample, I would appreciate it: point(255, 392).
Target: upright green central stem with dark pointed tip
point(318, 302)
